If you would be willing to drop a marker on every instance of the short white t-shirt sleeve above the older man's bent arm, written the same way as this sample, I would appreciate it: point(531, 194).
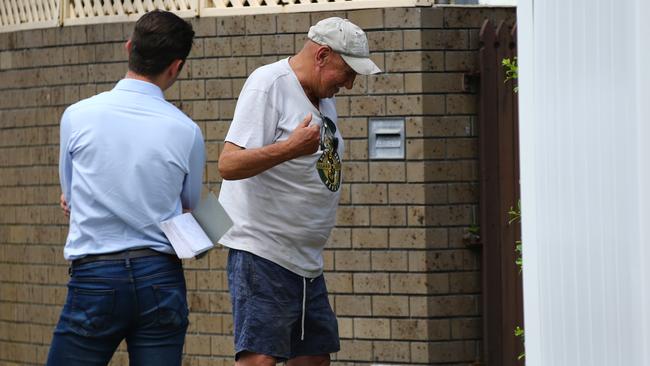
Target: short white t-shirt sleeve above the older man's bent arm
point(255, 120)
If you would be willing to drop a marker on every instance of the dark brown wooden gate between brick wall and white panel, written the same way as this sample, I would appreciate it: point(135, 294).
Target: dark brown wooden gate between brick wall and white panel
point(499, 192)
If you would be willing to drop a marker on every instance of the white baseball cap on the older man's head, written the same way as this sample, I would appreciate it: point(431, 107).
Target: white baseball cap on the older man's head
point(346, 39)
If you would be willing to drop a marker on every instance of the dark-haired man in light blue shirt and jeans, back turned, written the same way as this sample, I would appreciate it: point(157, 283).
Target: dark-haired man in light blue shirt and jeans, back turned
point(128, 160)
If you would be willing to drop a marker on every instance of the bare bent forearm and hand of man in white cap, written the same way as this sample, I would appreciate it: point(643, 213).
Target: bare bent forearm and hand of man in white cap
point(236, 162)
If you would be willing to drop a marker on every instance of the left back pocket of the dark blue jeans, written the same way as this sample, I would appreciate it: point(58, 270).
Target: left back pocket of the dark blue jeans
point(90, 310)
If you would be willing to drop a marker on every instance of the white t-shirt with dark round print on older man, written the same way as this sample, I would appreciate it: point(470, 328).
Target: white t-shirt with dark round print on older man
point(286, 213)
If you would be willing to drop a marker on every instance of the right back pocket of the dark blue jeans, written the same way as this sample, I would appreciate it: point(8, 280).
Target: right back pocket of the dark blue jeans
point(172, 310)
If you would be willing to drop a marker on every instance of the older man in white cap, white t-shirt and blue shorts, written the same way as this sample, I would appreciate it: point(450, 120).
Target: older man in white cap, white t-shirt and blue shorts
point(281, 165)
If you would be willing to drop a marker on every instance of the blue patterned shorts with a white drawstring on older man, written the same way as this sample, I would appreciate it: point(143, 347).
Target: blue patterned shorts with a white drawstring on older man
point(277, 312)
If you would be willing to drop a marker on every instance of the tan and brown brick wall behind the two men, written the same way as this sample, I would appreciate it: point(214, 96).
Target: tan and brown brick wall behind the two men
point(404, 285)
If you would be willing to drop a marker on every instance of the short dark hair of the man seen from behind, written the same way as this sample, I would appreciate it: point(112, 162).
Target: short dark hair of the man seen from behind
point(159, 38)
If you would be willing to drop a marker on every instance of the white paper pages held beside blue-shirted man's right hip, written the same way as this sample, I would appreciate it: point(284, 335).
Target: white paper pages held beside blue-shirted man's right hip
point(186, 236)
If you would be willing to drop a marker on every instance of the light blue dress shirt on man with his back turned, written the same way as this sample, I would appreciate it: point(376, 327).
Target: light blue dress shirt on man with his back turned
point(128, 160)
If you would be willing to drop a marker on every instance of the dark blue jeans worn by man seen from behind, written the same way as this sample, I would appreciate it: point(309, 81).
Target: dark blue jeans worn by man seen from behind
point(142, 300)
